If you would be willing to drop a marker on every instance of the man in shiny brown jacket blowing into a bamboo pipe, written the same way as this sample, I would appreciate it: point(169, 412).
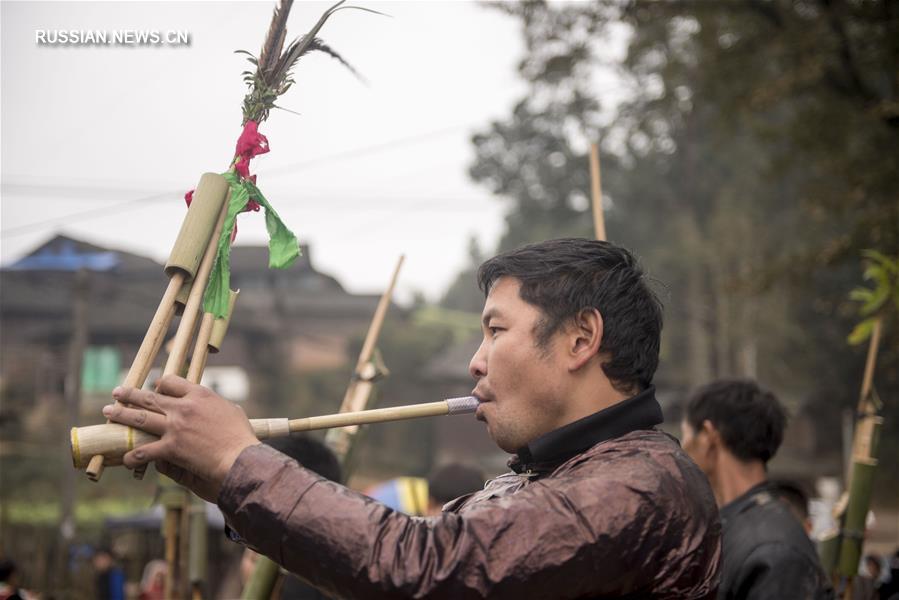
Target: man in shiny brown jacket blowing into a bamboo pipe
point(599, 503)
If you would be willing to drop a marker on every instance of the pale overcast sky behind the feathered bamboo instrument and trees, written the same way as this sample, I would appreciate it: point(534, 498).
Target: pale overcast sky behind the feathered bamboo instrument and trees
point(100, 141)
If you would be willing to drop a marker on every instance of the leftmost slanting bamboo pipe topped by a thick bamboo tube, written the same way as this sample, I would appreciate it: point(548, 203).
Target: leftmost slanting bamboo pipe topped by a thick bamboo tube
point(196, 230)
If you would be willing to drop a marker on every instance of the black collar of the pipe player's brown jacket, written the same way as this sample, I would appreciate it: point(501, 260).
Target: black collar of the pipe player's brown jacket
point(637, 412)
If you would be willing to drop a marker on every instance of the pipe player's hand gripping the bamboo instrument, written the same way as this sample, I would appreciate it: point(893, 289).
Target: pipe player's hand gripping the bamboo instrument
point(201, 433)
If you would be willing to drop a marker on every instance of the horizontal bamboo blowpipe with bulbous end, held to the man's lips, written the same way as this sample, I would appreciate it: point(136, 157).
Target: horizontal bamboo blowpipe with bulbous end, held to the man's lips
point(112, 440)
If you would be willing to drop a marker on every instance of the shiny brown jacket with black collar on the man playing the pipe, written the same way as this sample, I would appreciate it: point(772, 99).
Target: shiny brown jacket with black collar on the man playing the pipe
point(605, 507)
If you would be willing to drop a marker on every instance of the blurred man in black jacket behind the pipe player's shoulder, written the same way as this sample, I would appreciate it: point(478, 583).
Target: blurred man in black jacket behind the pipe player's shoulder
point(732, 428)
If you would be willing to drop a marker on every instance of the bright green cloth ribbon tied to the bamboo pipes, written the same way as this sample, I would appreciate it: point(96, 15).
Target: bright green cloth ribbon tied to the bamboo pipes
point(283, 248)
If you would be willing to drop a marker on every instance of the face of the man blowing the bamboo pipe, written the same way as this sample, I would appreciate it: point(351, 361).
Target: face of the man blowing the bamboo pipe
point(521, 386)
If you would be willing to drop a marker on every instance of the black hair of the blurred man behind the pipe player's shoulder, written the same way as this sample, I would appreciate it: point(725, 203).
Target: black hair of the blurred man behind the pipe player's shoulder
point(751, 420)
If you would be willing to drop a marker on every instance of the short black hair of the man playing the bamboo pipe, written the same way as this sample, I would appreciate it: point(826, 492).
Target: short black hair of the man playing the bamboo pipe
point(565, 276)
